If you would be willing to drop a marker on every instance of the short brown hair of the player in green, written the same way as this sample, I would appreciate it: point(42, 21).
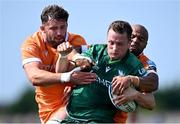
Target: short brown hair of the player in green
point(121, 27)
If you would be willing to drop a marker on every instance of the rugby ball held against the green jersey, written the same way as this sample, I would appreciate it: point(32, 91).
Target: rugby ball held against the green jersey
point(126, 107)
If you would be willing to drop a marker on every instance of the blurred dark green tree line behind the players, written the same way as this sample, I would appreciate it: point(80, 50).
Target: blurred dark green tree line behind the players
point(166, 99)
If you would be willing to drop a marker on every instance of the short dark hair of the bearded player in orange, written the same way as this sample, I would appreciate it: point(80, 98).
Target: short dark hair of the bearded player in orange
point(54, 12)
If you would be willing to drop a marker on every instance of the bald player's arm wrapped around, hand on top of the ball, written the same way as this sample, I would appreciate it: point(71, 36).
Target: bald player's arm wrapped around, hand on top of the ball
point(147, 83)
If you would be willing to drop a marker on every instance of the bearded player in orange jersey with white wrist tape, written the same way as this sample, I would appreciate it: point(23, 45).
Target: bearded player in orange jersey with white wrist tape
point(39, 56)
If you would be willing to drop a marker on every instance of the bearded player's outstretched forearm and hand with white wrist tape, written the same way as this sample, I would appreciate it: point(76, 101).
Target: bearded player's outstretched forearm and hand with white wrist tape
point(40, 77)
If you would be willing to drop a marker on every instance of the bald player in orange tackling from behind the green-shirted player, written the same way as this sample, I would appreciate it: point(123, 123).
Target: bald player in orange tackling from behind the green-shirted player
point(139, 41)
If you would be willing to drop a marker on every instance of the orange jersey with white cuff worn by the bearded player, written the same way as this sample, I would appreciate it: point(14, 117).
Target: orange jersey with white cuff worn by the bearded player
point(34, 48)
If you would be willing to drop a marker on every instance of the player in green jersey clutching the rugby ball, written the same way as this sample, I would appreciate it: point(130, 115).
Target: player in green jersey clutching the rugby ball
point(91, 103)
